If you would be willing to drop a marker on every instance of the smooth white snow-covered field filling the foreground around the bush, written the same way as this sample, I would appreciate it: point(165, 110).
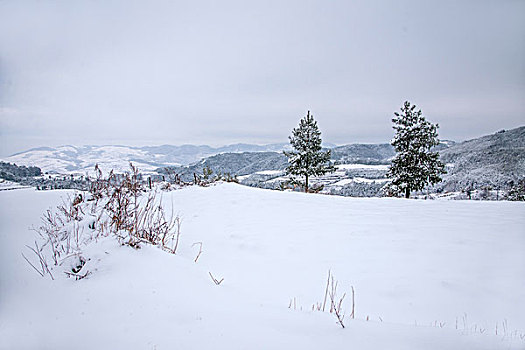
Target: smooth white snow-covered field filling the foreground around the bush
point(426, 274)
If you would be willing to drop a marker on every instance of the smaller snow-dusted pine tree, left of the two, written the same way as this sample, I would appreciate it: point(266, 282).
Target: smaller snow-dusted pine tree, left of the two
point(306, 159)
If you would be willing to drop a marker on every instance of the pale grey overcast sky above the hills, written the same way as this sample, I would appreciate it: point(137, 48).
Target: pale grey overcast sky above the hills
point(221, 72)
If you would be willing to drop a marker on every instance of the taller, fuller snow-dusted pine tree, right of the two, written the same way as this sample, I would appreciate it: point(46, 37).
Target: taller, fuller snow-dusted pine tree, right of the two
point(415, 165)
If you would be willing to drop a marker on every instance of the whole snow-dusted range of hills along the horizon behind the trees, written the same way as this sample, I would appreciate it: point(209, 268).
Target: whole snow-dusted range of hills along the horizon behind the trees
point(493, 161)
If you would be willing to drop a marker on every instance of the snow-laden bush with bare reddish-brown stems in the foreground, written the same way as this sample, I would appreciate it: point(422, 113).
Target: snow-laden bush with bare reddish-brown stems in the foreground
point(117, 206)
